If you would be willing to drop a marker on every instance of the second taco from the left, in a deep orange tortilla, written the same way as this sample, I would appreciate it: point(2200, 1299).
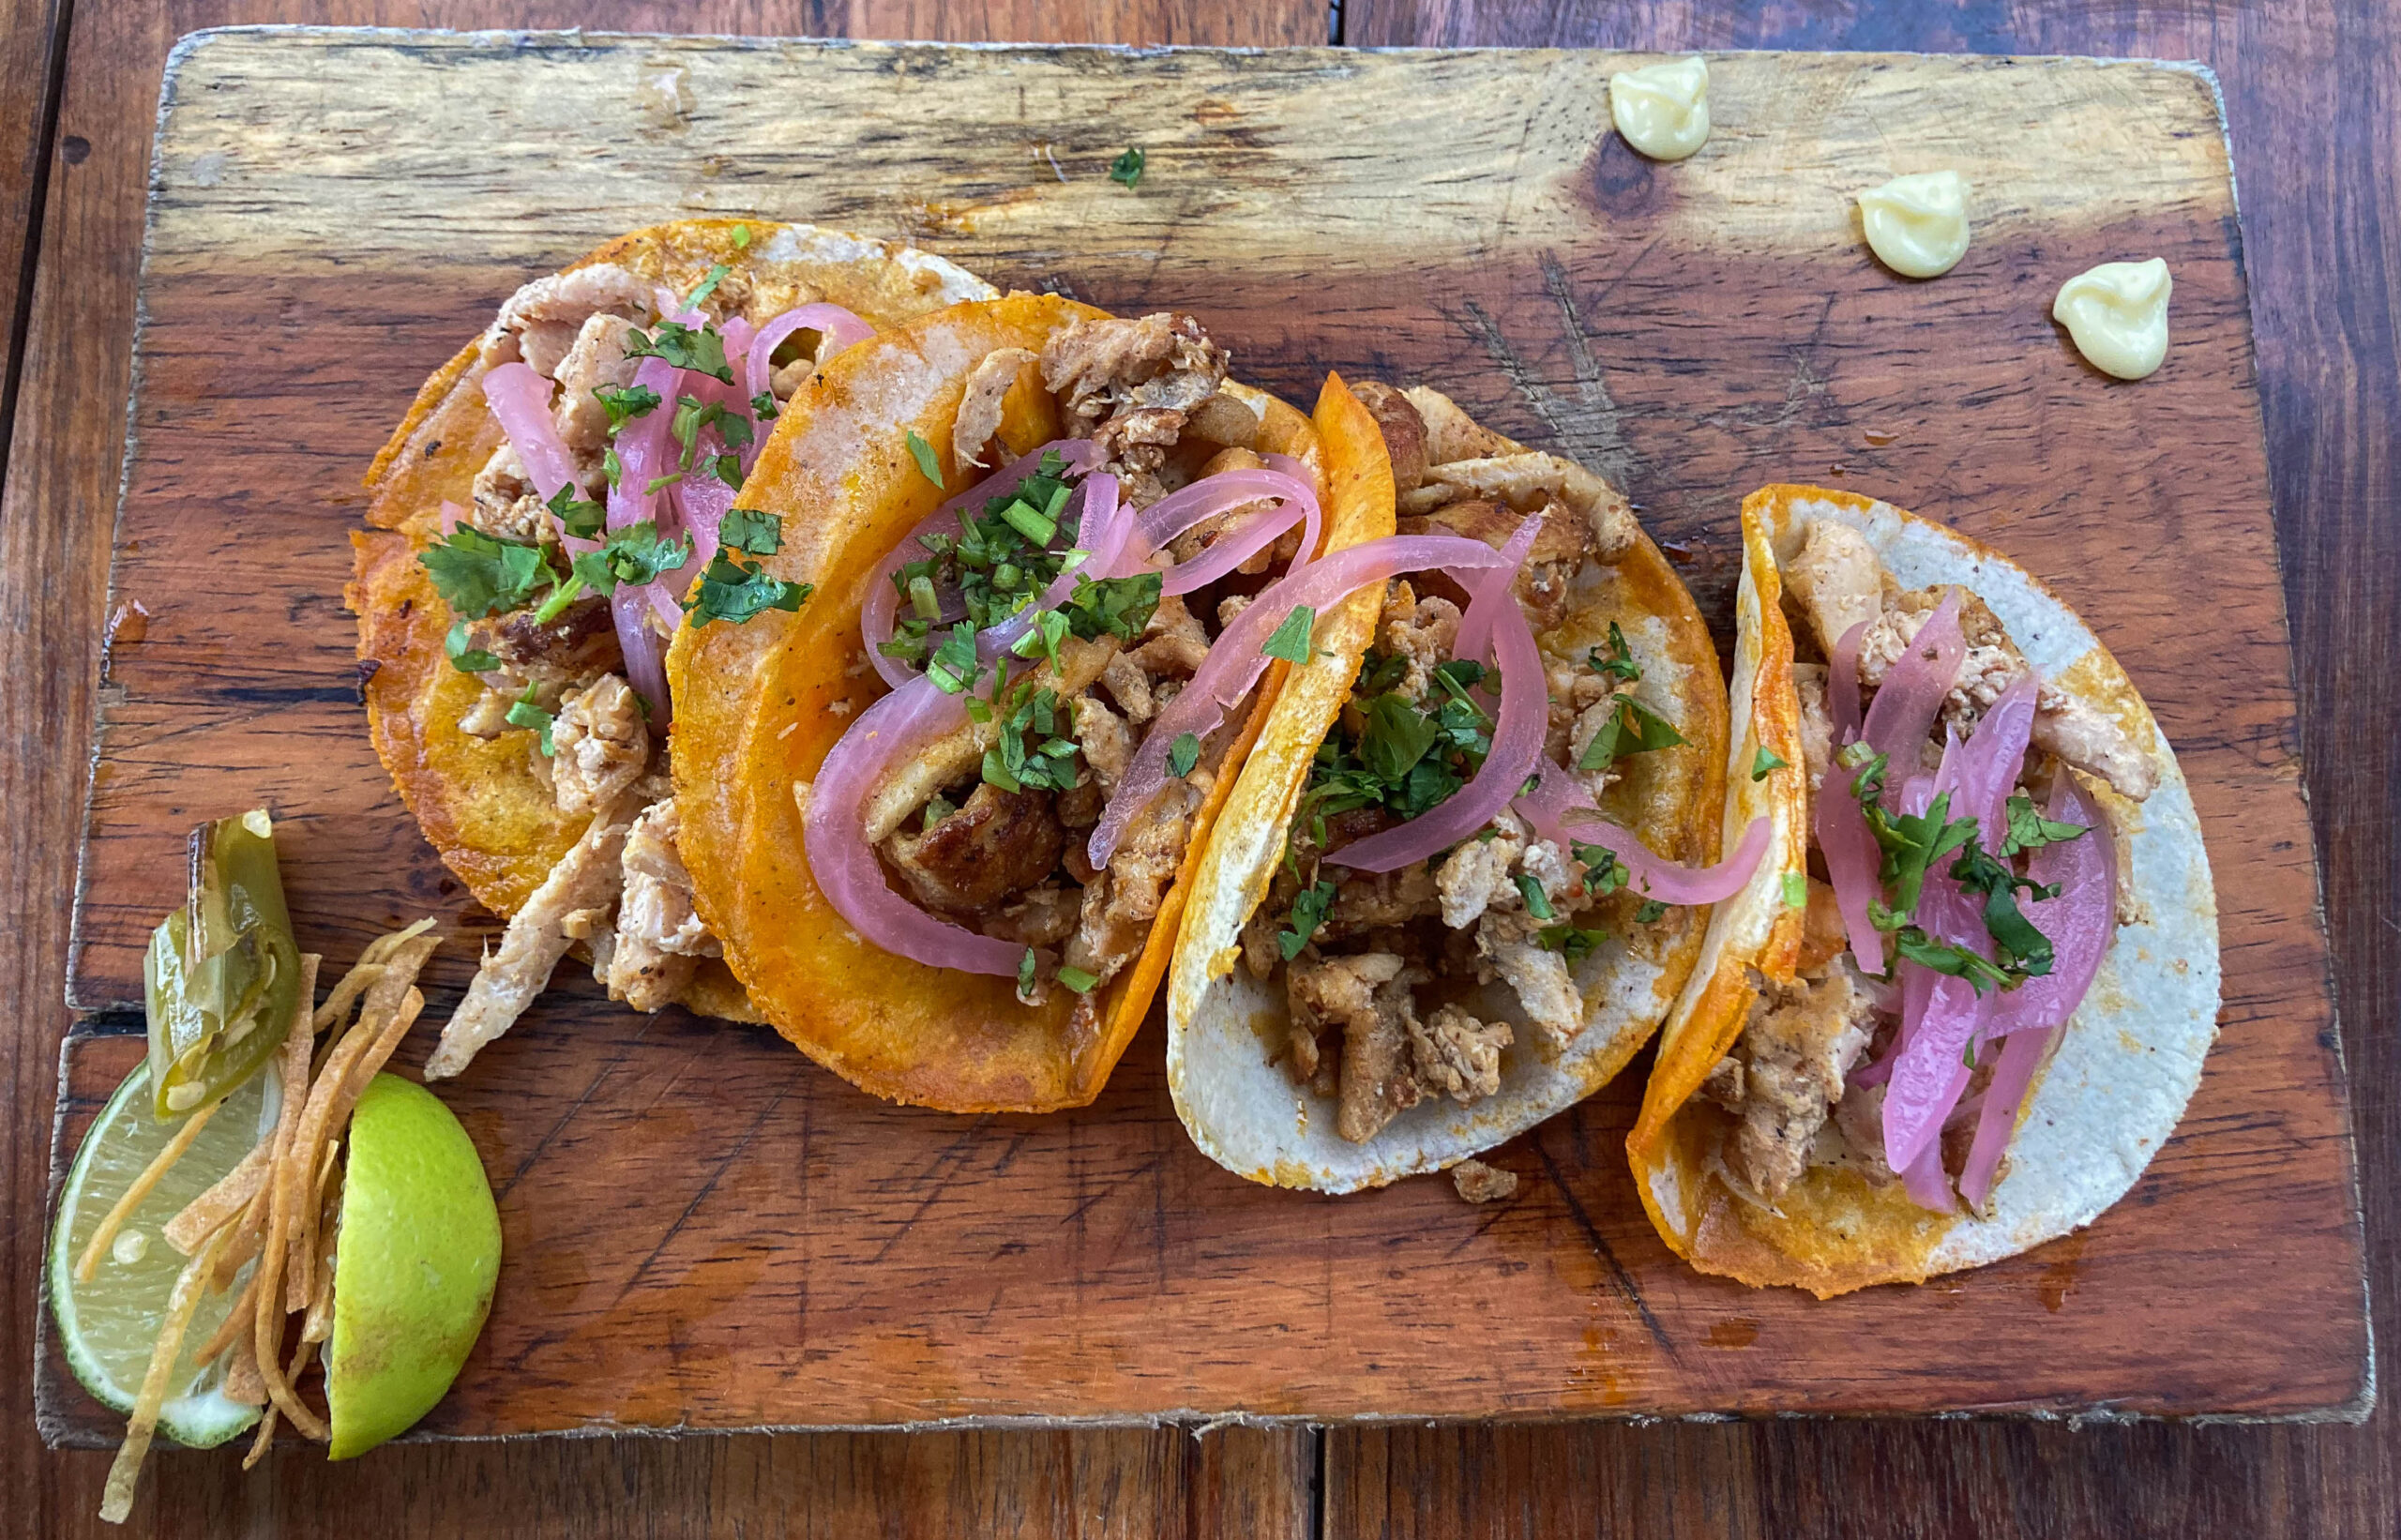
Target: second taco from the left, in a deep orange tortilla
point(942, 813)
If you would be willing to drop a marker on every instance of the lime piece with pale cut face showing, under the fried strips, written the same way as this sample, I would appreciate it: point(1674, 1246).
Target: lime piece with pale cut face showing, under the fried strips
point(112, 1325)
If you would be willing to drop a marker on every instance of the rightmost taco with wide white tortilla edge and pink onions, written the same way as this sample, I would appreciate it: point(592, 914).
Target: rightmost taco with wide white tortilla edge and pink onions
point(1970, 991)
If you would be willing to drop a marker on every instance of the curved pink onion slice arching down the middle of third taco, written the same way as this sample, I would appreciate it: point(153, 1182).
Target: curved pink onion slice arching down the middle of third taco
point(1519, 727)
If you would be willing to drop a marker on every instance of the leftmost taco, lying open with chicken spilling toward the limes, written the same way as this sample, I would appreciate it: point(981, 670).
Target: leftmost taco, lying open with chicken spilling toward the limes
point(534, 525)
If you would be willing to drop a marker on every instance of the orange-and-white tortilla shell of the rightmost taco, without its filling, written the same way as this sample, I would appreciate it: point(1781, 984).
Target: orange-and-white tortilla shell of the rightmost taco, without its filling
point(2121, 1073)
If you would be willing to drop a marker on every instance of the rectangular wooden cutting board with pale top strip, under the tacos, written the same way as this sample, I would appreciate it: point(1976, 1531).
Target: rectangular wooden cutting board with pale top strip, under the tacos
point(702, 1229)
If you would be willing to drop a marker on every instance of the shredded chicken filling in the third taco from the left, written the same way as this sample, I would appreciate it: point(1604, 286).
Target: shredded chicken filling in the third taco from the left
point(1384, 986)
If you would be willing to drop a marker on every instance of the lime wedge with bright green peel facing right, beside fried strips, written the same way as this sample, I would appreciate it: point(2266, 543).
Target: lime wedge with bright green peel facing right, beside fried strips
point(417, 1265)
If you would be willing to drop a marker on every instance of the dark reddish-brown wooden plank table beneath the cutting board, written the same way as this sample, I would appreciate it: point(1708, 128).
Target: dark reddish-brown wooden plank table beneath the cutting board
point(2311, 100)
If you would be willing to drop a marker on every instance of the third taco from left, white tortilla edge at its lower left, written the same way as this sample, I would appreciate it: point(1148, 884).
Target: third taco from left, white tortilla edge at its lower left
point(1451, 893)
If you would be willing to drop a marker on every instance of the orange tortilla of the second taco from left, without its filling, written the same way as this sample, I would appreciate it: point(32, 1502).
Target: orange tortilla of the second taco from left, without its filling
point(762, 705)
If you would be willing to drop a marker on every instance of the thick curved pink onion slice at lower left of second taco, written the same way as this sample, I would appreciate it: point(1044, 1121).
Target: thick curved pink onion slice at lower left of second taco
point(846, 866)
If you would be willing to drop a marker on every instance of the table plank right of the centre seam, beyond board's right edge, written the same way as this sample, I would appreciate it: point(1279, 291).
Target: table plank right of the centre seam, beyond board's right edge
point(2318, 201)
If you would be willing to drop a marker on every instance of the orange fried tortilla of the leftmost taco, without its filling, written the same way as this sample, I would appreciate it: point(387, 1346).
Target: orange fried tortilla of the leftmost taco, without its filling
point(479, 801)
